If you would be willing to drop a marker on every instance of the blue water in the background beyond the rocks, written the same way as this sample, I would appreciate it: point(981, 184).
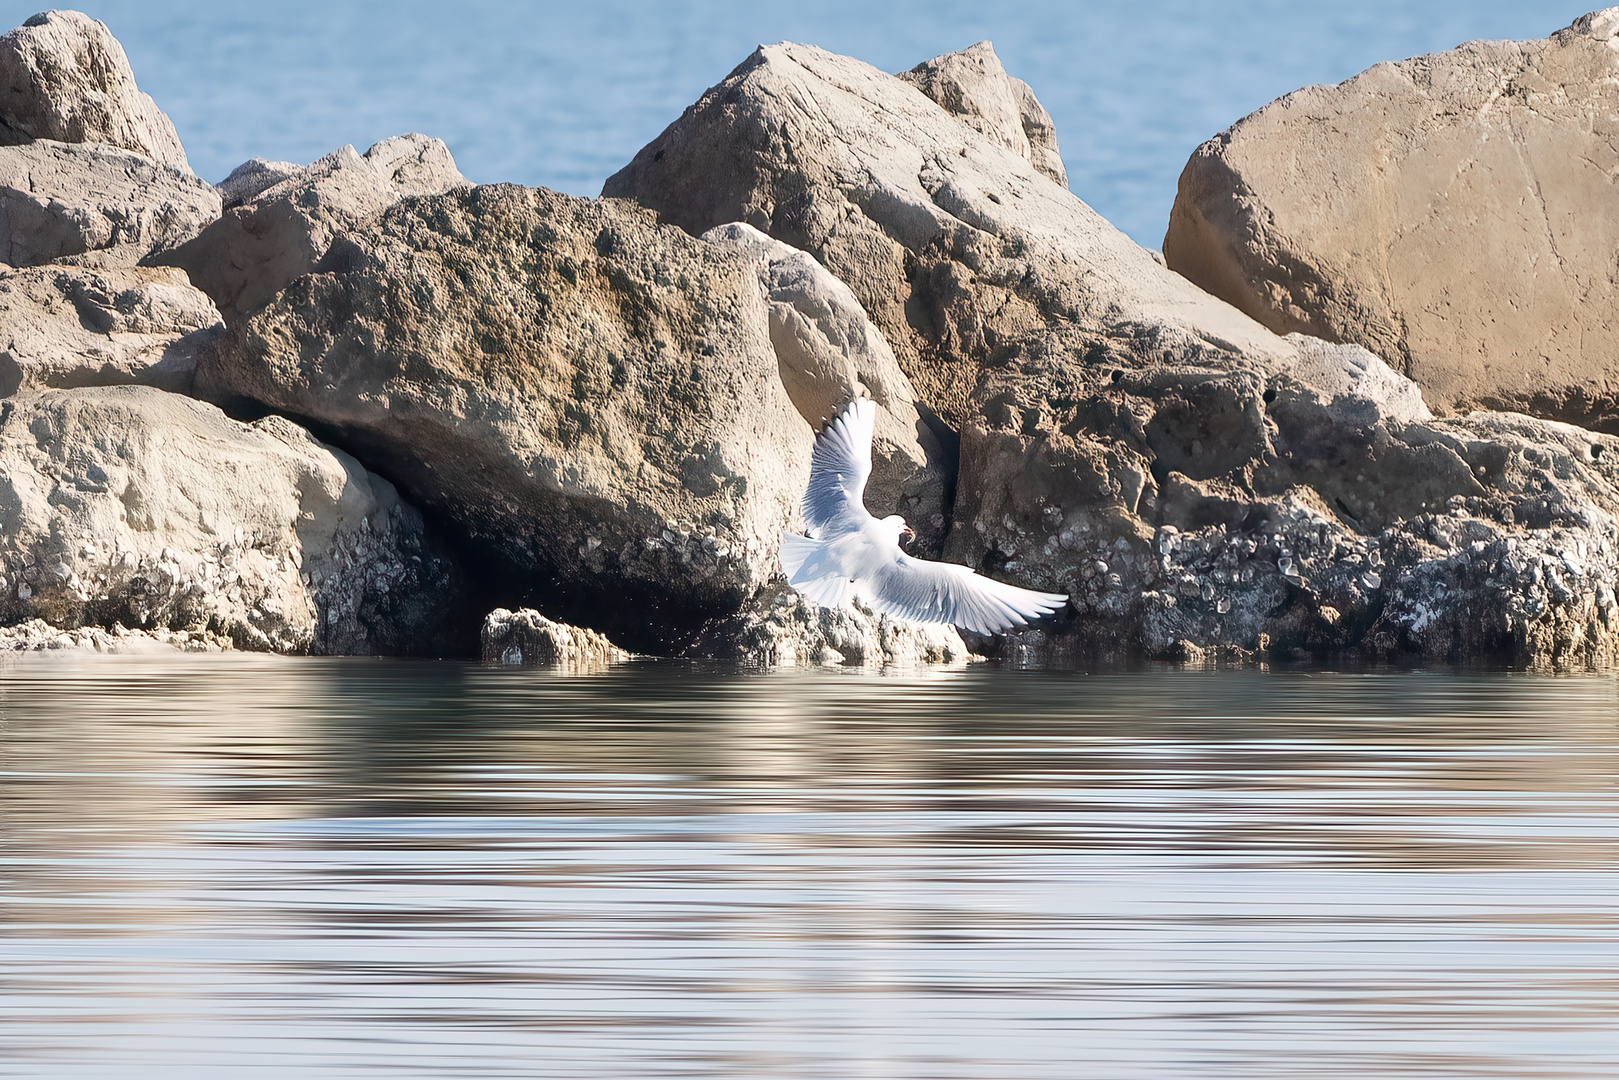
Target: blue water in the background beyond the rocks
point(563, 95)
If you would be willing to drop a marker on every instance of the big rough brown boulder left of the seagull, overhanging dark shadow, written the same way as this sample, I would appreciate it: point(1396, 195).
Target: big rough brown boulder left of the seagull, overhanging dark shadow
point(593, 399)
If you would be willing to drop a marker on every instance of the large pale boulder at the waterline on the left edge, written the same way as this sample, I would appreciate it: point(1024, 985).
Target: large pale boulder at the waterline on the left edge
point(129, 506)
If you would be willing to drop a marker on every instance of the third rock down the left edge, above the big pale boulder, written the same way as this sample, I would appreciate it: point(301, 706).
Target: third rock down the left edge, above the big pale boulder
point(77, 328)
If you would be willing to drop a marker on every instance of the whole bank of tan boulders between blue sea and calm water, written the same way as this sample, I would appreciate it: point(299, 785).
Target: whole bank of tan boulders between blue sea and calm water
point(1359, 409)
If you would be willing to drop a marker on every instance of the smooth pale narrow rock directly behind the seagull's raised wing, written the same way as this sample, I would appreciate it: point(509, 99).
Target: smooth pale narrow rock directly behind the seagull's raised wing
point(828, 352)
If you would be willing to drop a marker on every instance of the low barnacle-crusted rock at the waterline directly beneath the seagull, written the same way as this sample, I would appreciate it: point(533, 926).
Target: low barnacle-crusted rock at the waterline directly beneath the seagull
point(780, 627)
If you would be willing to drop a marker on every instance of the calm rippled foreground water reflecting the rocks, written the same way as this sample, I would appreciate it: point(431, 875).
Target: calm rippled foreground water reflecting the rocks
point(365, 869)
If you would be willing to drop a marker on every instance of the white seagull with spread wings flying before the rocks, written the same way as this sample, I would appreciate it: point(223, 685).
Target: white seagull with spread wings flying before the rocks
point(849, 551)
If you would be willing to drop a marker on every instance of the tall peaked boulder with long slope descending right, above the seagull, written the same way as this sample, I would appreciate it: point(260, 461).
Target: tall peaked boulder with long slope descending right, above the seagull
point(962, 253)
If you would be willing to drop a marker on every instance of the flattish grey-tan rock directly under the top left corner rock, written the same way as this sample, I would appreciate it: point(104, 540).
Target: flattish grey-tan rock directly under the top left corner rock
point(95, 205)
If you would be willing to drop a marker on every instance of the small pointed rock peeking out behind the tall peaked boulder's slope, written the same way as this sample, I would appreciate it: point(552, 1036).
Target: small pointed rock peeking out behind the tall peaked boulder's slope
point(974, 87)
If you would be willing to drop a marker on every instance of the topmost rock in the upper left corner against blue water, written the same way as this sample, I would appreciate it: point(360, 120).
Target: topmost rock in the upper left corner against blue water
point(64, 77)
